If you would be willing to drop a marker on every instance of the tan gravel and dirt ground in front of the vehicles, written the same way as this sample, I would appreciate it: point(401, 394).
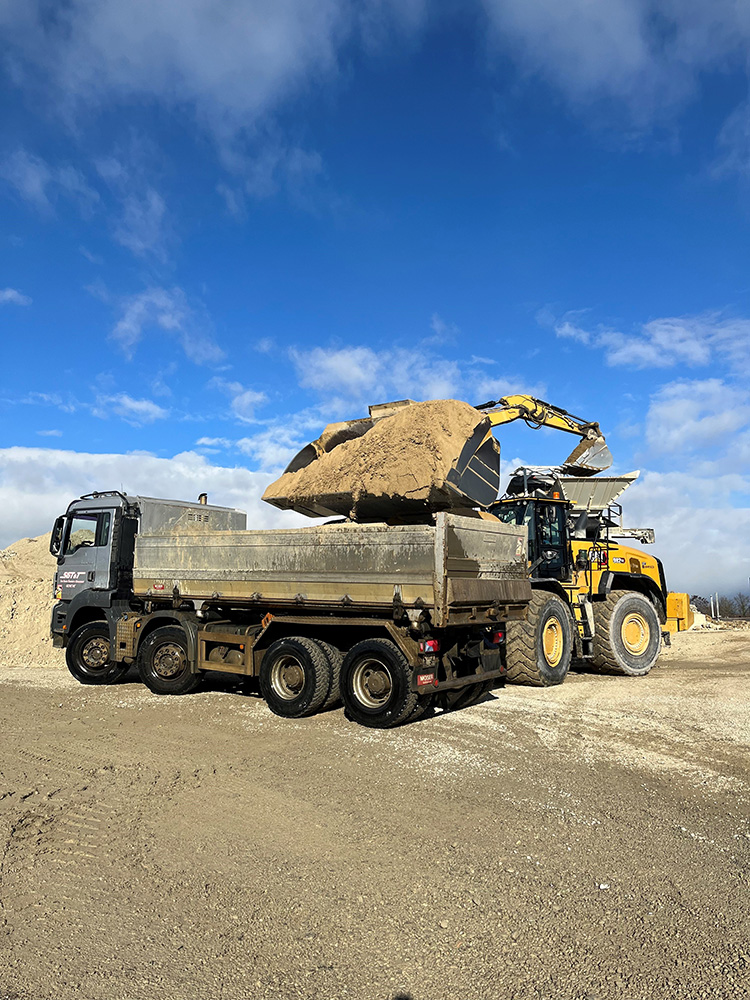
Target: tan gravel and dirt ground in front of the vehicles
point(588, 841)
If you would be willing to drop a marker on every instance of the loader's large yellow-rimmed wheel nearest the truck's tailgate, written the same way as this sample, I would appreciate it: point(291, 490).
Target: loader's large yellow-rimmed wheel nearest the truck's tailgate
point(539, 650)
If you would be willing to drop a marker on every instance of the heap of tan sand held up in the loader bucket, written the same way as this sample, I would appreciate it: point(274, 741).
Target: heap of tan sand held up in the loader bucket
point(399, 465)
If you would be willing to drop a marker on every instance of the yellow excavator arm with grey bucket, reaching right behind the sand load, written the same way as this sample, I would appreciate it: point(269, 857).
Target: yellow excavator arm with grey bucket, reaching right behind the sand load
point(589, 457)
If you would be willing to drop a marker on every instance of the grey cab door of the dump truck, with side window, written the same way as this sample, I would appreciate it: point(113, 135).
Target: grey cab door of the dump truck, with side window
point(86, 557)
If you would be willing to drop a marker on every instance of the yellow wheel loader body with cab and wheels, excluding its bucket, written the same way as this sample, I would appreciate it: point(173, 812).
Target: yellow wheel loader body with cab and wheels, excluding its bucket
point(612, 594)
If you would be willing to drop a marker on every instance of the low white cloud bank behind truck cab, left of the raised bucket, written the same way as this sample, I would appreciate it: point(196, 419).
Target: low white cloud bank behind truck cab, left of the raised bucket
point(36, 484)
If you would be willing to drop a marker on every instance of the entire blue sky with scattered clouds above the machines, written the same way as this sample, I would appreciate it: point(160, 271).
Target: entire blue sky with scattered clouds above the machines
point(227, 223)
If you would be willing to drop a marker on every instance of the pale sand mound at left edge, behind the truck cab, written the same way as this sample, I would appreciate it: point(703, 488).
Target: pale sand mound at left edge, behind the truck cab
point(26, 578)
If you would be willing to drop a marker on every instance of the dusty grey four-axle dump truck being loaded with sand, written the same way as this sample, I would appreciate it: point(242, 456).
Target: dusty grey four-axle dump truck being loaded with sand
point(387, 618)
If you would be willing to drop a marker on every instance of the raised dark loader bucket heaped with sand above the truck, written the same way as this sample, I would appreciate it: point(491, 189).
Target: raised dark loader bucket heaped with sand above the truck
point(406, 459)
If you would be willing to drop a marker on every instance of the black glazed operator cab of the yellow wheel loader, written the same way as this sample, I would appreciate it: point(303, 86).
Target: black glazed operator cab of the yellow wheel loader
point(547, 524)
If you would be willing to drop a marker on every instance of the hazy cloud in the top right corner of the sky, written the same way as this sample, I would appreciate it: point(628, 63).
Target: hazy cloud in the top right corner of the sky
point(647, 54)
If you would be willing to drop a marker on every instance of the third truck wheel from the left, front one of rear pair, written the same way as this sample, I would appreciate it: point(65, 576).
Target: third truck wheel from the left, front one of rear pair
point(295, 677)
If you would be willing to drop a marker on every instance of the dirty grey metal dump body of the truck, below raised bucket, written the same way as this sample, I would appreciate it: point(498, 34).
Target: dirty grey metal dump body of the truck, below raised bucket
point(456, 567)
